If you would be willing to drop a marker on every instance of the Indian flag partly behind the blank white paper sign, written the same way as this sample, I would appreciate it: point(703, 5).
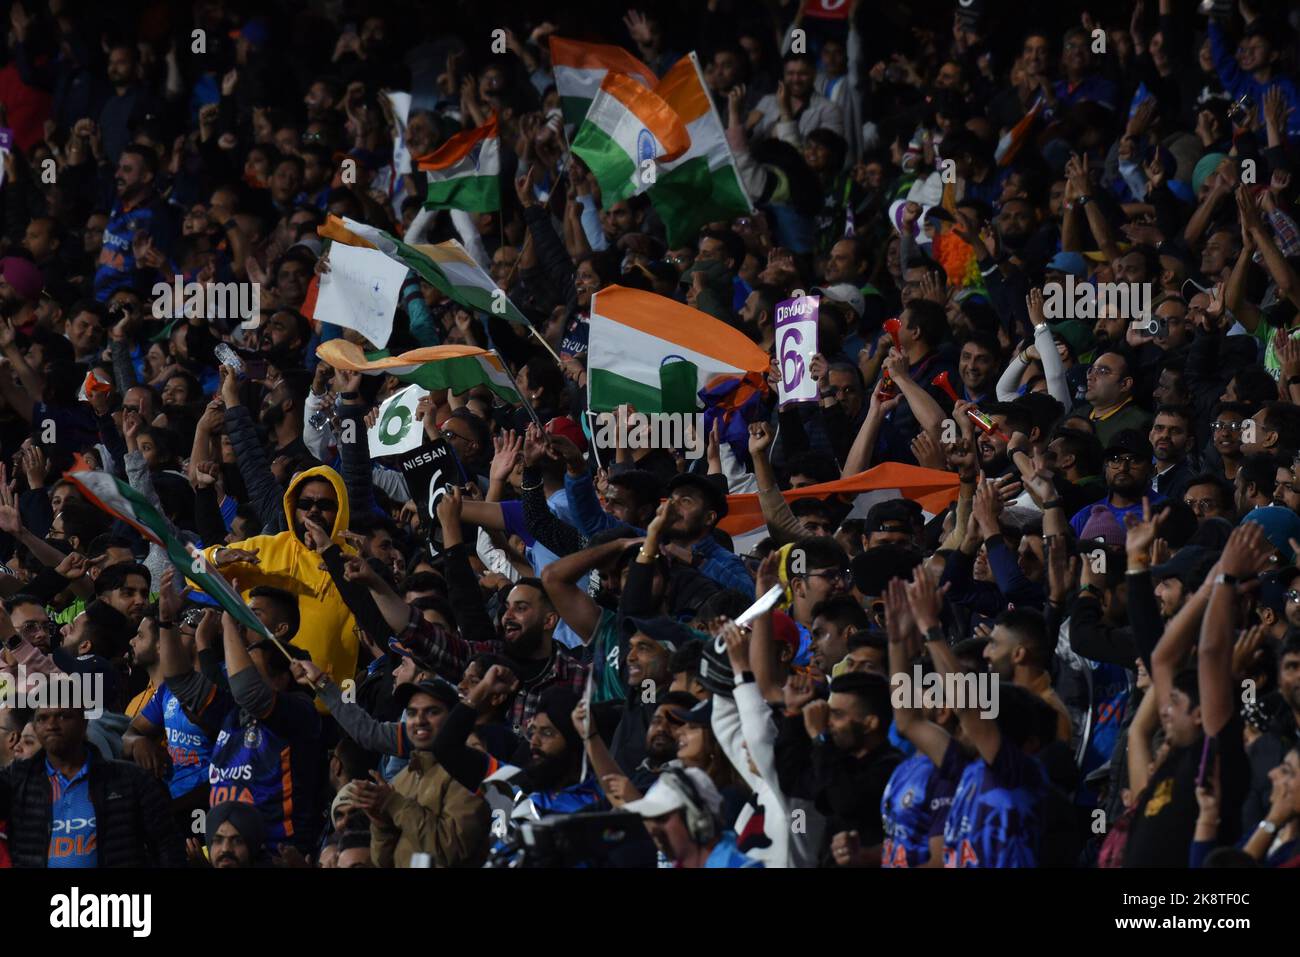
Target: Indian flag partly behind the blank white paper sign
point(447, 266)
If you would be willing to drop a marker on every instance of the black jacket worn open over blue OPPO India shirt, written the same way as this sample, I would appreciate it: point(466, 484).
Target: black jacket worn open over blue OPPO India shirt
point(133, 815)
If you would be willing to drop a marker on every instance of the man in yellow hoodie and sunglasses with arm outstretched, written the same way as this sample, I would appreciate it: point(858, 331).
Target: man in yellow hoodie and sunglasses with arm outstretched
point(328, 630)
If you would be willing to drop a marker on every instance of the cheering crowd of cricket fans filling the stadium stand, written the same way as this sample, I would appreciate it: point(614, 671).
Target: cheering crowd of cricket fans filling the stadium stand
point(1065, 634)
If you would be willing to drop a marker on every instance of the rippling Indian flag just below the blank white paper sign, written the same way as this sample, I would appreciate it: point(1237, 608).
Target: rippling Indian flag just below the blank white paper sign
point(458, 369)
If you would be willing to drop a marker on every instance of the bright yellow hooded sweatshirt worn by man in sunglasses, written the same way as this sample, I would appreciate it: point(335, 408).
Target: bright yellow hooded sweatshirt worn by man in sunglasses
point(328, 630)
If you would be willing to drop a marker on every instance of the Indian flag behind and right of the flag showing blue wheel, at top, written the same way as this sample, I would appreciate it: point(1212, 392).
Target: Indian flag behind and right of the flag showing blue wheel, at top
point(703, 185)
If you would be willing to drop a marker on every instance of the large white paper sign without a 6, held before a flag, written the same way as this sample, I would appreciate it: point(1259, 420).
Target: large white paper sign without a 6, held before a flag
point(361, 292)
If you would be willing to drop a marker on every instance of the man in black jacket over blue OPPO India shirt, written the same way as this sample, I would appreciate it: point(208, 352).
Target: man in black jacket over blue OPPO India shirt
point(71, 808)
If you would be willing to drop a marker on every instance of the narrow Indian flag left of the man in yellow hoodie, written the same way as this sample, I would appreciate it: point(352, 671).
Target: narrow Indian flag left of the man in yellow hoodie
point(122, 501)
